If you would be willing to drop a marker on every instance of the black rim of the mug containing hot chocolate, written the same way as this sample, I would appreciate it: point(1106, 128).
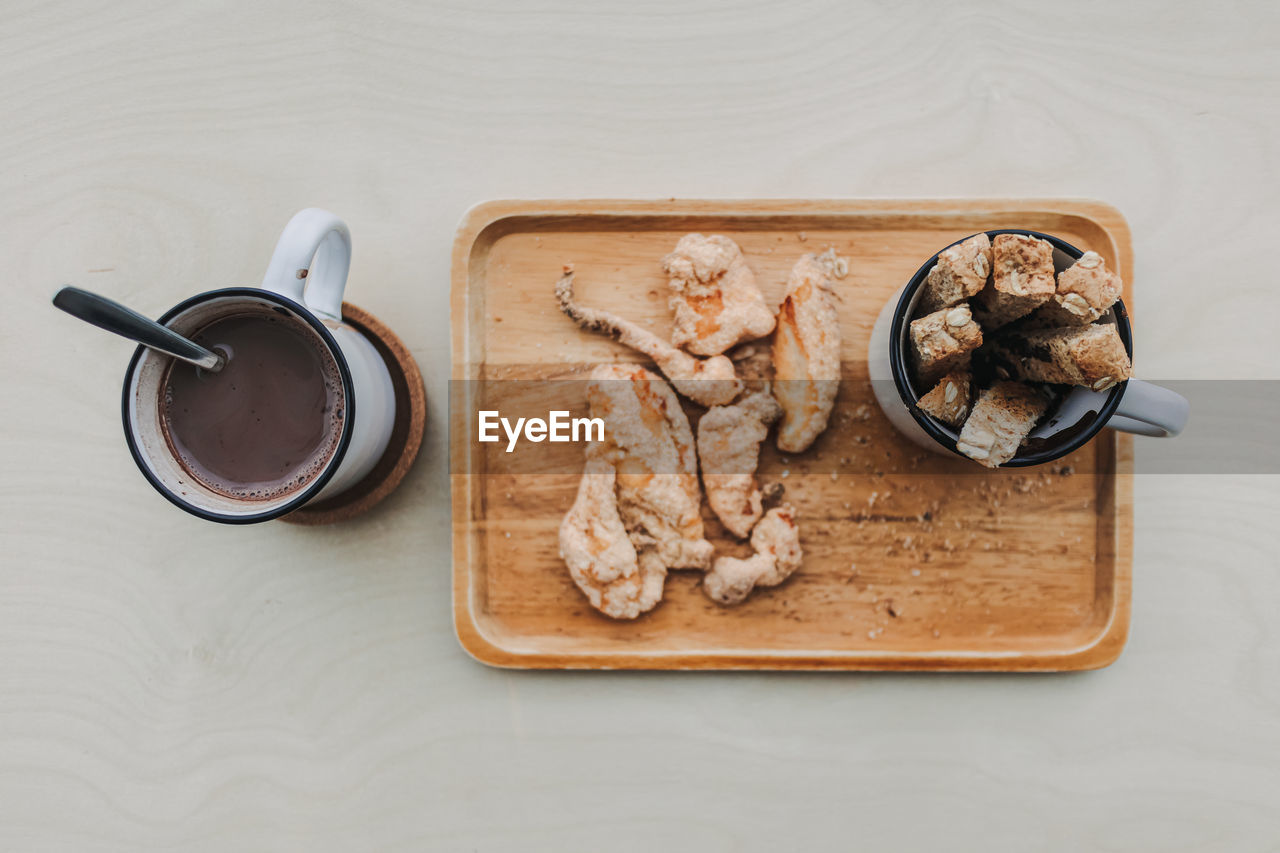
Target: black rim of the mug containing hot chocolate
point(313, 489)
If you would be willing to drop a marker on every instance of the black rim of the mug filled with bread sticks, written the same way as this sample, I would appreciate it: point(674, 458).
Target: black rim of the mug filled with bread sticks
point(898, 361)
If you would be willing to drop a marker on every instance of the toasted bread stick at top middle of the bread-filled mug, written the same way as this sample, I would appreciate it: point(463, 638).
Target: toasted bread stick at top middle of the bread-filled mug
point(1022, 280)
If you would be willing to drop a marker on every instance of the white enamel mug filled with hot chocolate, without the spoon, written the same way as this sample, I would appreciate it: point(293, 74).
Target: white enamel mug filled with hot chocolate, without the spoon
point(301, 409)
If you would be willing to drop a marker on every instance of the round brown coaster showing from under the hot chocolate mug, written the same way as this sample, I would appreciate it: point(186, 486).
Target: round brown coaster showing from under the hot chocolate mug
point(406, 434)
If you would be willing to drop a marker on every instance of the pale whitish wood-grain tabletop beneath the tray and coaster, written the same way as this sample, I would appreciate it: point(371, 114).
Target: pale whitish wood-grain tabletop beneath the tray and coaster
point(167, 685)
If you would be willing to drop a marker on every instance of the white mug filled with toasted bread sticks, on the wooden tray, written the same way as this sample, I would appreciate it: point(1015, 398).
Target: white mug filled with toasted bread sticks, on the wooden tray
point(1013, 348)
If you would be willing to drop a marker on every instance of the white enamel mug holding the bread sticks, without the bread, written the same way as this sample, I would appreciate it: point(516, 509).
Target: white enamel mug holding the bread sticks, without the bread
point(1132, 407)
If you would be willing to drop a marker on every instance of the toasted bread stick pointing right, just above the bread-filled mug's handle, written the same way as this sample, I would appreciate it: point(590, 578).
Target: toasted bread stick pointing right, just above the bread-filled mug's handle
point(1081, 355)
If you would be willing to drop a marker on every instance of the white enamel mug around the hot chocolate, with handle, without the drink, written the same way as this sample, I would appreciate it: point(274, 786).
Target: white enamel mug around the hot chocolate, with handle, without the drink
point(305, 281)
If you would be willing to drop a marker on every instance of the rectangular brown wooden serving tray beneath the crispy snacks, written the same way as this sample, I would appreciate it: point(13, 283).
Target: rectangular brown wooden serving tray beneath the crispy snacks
point(913, 560)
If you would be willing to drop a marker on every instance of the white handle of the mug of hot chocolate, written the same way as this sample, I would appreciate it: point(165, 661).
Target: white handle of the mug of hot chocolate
point(310, 263)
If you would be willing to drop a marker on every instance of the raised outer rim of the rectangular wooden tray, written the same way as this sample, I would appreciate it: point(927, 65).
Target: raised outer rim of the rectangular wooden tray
point(1098, 654)
